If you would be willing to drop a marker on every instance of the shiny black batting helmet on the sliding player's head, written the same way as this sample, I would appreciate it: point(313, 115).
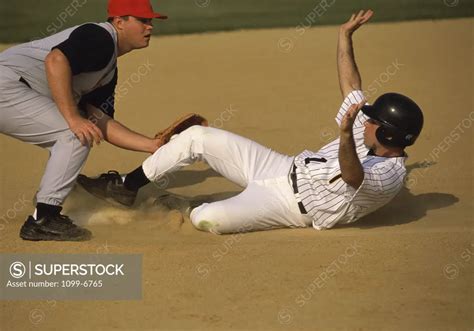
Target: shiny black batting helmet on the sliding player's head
point(400, 119)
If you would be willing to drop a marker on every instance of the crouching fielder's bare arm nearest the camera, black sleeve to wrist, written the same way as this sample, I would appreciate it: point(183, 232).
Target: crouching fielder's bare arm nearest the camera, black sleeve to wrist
point(59, 75)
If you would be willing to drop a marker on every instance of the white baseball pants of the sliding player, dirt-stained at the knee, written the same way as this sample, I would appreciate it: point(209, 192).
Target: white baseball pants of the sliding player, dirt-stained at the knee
point(267, 201)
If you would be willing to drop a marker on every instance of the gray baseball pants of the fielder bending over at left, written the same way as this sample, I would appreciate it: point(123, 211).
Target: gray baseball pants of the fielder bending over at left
point(34, 118)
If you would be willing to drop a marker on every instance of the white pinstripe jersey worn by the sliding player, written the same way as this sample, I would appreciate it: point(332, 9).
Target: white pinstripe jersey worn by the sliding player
point(326, 197)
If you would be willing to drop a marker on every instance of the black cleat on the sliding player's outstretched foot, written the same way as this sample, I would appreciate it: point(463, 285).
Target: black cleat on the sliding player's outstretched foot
point(108, 186)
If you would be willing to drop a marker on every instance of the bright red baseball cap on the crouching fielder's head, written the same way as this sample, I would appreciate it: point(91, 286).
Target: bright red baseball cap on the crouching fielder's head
point(138, 8)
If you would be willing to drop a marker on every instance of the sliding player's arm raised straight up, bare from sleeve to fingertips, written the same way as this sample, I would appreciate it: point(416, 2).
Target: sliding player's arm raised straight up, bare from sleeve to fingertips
point(349, 77)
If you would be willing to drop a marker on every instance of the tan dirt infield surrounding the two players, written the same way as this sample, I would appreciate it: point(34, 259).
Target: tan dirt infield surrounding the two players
point(409, 266)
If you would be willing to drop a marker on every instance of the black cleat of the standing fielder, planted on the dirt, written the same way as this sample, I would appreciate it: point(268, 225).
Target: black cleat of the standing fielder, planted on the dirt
point(53, 227)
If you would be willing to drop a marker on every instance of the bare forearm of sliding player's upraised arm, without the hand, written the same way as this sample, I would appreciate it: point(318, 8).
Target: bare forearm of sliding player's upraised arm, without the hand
point(349, 77)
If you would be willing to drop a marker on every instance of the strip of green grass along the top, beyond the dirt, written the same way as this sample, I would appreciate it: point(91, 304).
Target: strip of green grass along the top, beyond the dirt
point(27, 20)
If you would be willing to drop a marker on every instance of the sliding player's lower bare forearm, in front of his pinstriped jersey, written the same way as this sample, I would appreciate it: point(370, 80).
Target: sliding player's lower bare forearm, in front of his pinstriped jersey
point(352, 171)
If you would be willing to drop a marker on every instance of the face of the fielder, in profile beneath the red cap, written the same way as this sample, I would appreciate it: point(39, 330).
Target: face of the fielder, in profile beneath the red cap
point(137, 31)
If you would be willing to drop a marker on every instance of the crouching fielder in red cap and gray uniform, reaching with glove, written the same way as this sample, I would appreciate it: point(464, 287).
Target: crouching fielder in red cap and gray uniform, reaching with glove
point(58, 93)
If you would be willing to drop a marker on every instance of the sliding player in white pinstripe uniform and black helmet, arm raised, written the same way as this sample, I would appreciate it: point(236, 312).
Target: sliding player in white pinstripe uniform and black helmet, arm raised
point(360, 171)
